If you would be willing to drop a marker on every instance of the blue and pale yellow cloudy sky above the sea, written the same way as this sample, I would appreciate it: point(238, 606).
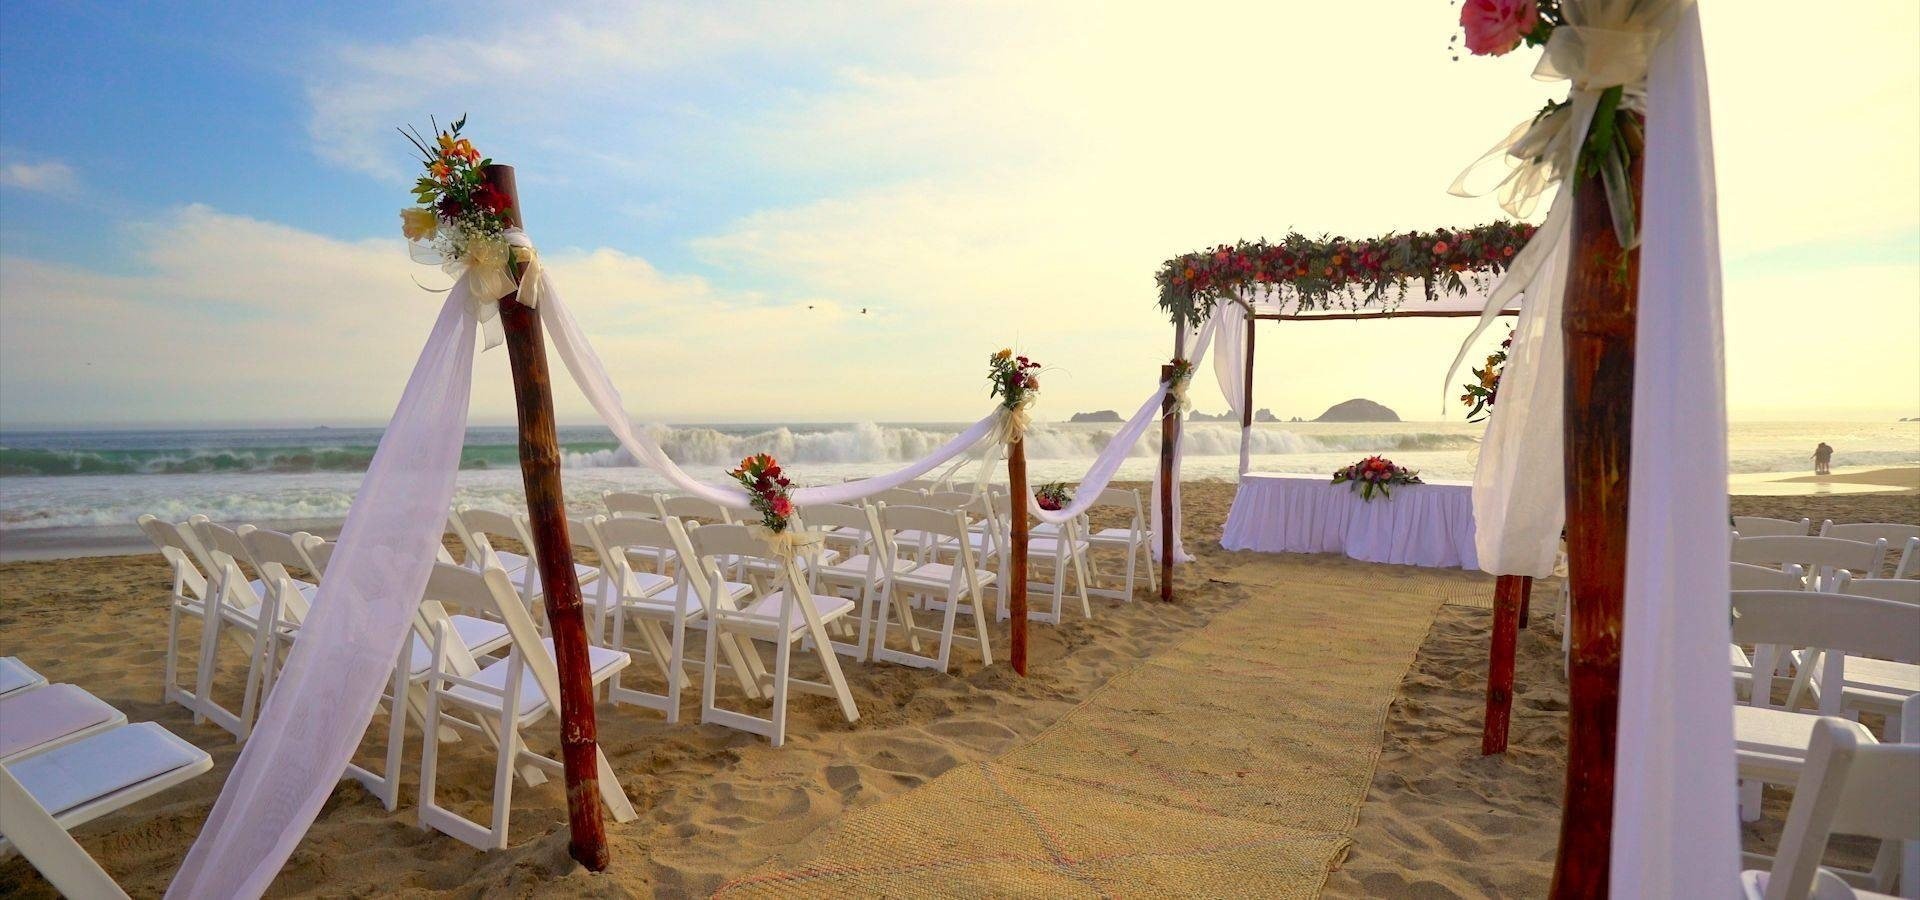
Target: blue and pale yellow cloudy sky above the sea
point(836, 212)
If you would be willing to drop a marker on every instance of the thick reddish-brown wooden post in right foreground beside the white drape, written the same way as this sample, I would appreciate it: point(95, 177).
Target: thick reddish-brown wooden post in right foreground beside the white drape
point(1602, 310)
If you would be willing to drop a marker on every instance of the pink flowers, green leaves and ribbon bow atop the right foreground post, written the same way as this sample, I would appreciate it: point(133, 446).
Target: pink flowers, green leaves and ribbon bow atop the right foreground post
point(1616, 133)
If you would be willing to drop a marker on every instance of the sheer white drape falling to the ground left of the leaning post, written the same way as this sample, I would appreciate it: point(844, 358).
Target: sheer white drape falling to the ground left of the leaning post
point(322, 705)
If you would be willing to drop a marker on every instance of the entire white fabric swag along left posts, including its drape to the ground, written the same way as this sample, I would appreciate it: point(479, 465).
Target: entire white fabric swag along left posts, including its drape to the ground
point(322, 705)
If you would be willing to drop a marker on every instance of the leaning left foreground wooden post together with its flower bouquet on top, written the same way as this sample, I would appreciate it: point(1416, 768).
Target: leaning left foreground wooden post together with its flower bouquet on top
point(468, 204)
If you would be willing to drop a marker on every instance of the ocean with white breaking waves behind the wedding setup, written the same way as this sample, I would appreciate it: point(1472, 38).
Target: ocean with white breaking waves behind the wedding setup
point(82, 492)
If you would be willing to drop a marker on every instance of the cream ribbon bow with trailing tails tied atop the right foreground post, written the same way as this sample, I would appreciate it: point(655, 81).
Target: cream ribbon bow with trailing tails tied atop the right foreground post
point(1604, 45)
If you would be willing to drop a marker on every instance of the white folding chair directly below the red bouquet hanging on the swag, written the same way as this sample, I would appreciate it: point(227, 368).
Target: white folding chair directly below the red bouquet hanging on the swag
point(786, 615)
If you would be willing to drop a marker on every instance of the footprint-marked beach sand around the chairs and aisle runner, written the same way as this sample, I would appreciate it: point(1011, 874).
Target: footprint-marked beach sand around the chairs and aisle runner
point(715, 803)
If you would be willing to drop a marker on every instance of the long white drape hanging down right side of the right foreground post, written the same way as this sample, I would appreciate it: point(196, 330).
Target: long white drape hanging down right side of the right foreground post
point(1675, 786)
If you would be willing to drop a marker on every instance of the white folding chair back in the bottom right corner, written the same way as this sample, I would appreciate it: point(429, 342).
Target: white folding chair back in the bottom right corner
point(1846, 788)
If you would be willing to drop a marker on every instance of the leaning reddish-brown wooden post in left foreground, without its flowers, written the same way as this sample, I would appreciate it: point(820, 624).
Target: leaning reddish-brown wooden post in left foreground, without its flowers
point(546, 509)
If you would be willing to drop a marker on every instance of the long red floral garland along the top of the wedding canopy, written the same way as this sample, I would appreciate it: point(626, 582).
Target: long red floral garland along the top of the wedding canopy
point(1333, 272)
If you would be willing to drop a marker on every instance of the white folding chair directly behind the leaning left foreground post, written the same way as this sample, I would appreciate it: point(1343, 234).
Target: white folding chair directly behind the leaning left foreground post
point(502, 699)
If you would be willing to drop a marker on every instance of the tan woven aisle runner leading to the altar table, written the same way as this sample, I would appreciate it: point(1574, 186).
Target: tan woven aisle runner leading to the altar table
point(1232, 765)
